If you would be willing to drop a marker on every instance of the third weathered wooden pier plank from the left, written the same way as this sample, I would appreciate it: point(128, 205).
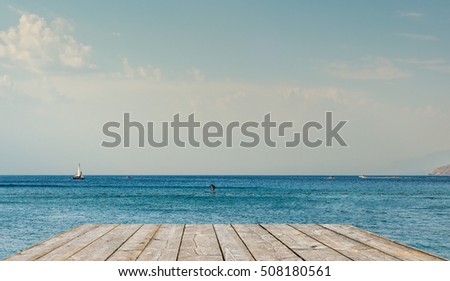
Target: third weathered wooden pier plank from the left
point(105, 246)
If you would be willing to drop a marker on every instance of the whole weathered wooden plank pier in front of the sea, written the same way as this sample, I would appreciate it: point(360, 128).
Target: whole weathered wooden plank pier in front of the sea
point(217, 242)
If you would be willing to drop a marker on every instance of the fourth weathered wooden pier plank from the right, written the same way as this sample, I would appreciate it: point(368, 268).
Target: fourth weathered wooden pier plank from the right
point(263, 245)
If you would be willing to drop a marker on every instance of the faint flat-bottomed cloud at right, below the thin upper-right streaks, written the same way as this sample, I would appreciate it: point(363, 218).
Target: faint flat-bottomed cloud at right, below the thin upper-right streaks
point(373, 69)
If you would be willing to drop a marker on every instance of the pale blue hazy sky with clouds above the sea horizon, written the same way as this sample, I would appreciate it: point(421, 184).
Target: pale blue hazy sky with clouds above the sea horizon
point(67, 68)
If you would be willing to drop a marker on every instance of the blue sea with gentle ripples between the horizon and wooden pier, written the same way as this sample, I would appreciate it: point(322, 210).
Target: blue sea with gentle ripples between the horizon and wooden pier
point(412, 210)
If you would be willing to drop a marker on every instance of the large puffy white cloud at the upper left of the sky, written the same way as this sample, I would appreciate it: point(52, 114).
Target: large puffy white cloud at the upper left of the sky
point(35, 44)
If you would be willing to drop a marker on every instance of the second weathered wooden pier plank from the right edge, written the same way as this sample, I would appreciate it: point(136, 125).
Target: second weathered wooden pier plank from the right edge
point(344, 245)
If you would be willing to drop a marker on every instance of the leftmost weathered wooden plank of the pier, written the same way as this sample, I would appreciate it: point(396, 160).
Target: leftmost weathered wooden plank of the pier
point(51, 244)
